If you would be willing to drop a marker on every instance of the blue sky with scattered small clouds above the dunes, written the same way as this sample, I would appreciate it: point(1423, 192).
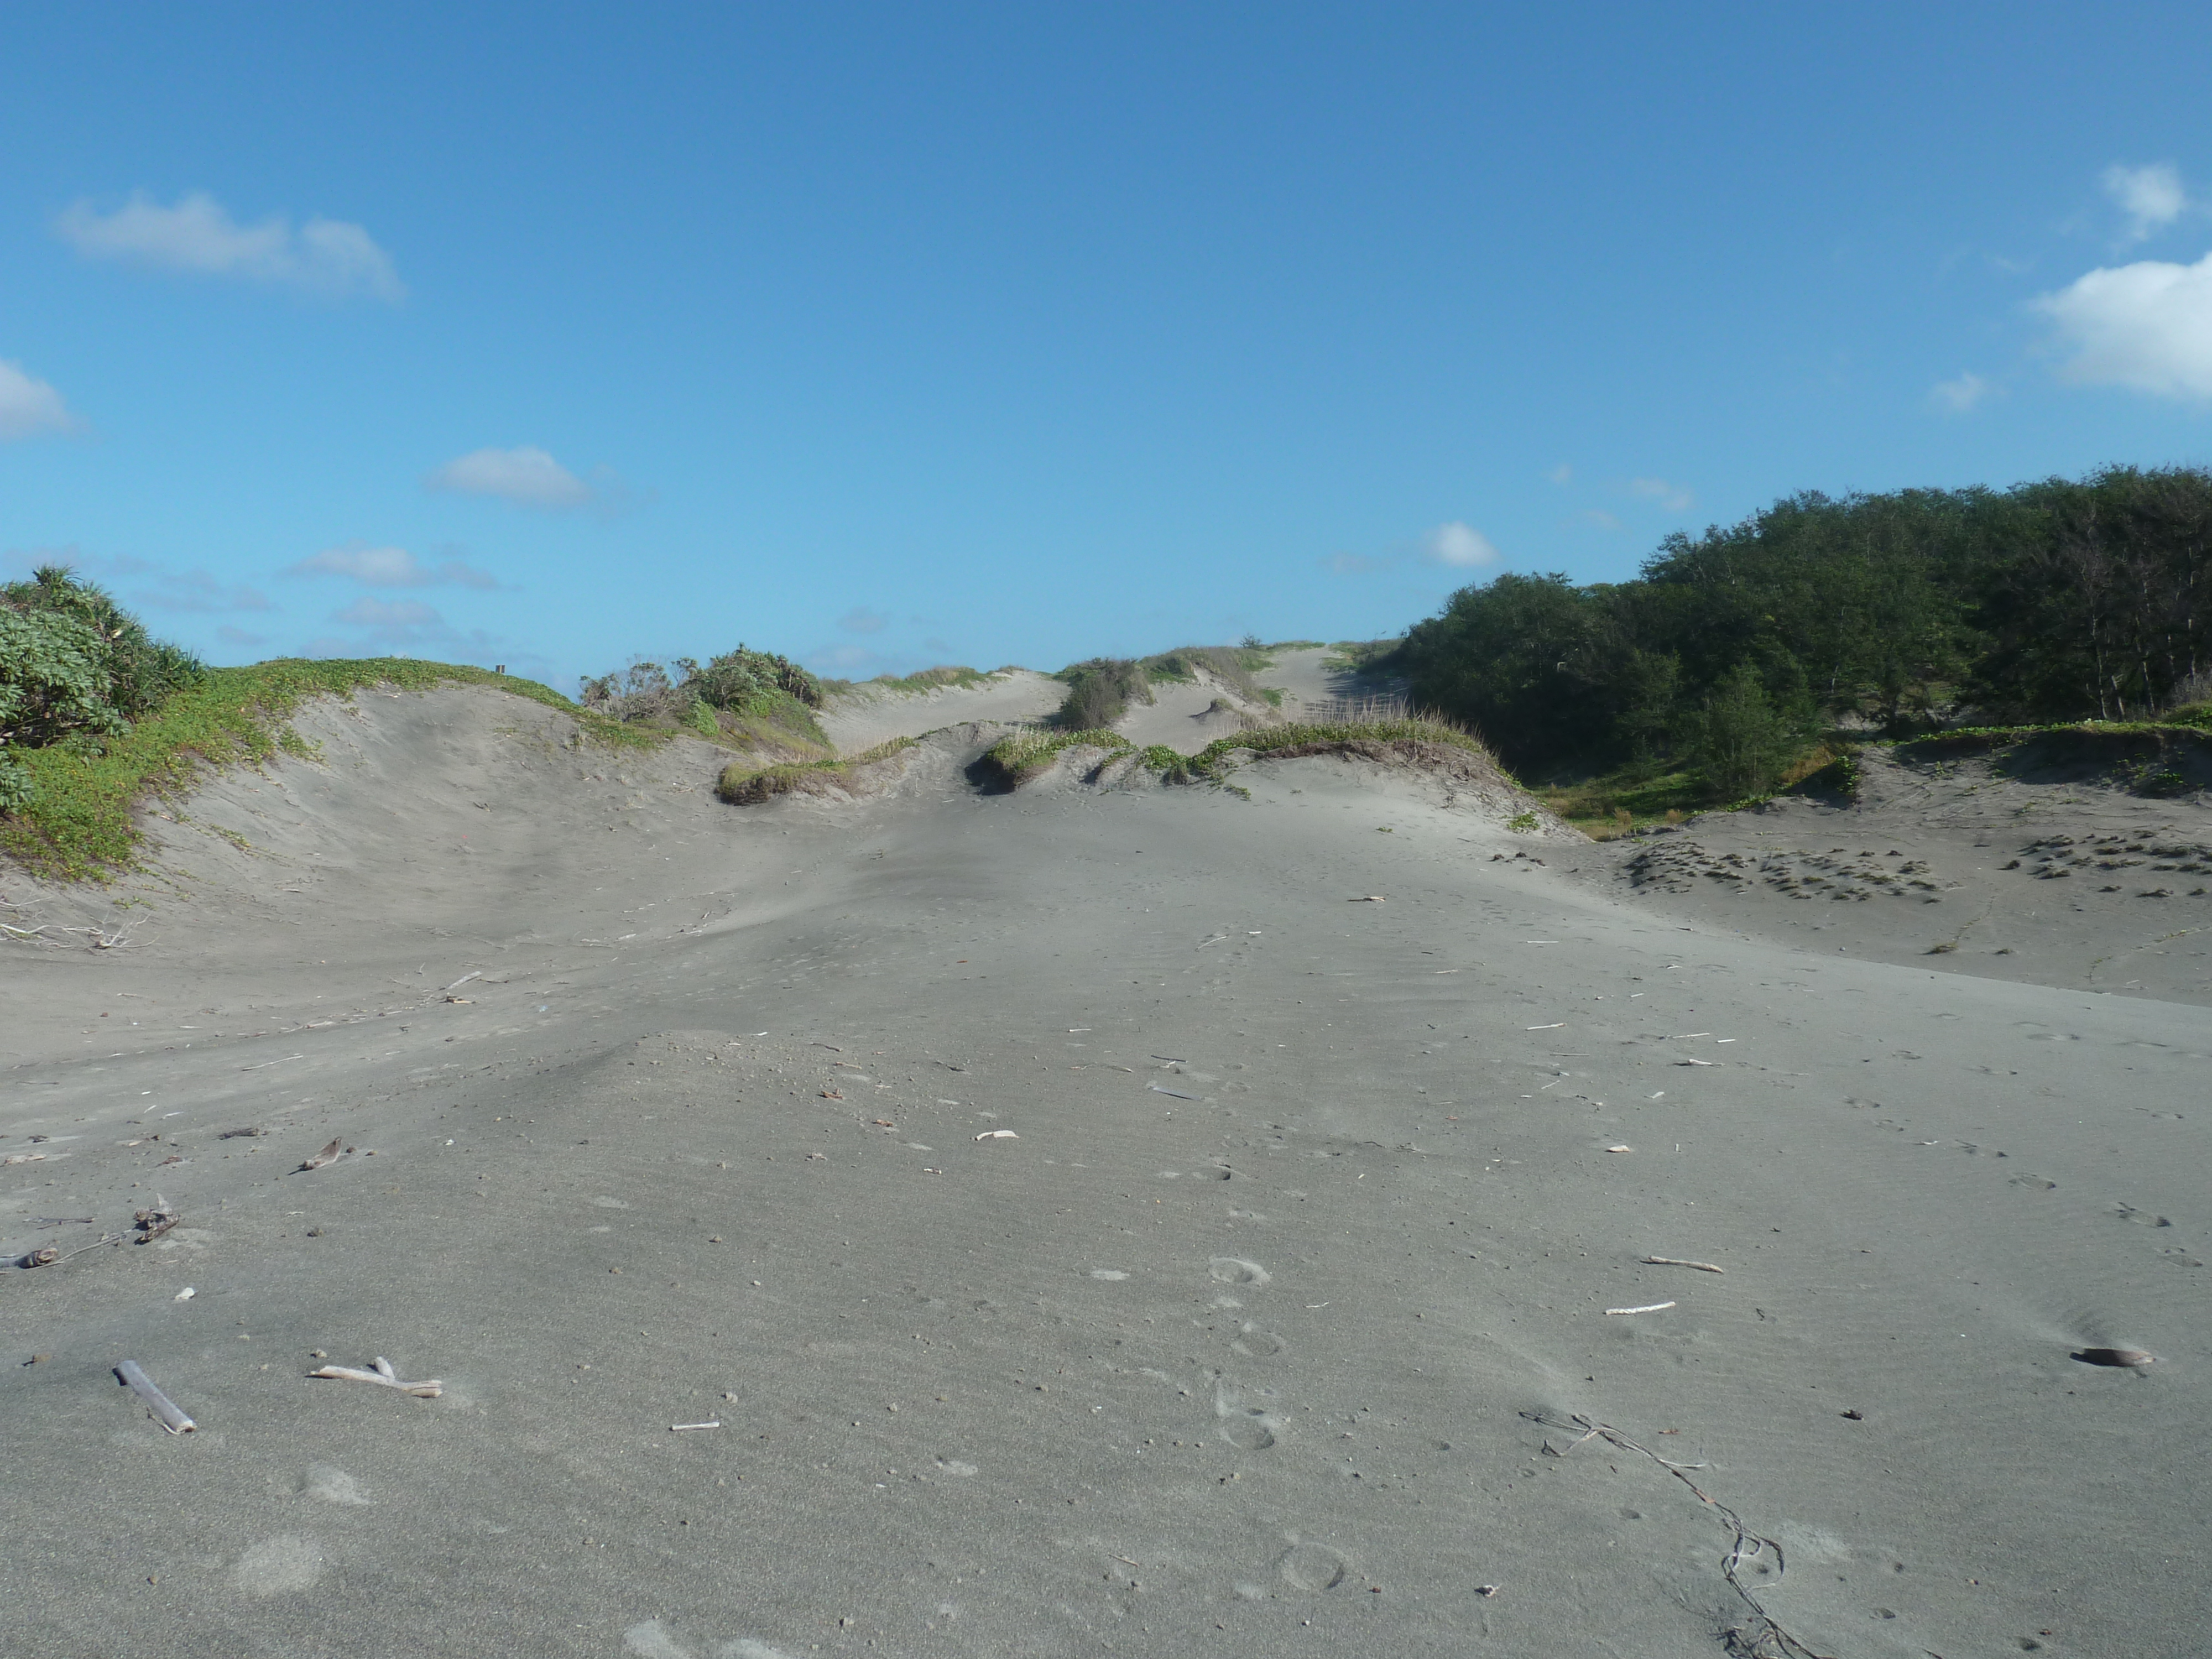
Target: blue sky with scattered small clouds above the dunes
point(897, 335)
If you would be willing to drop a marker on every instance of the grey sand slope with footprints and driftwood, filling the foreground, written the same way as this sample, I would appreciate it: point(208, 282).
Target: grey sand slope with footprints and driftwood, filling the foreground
point(1100, 1220)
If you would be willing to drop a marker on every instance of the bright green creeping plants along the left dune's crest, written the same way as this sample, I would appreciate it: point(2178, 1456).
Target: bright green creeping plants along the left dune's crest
point(79, 817)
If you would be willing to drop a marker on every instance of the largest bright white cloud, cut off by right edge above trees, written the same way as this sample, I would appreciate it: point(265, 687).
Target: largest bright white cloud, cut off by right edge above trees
point(2145, 326)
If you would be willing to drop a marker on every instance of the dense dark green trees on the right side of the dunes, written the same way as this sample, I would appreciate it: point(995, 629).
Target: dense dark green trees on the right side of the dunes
point(1735, 656)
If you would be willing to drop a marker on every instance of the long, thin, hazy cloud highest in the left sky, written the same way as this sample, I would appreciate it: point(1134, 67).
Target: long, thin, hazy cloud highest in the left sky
point(326, 258)
